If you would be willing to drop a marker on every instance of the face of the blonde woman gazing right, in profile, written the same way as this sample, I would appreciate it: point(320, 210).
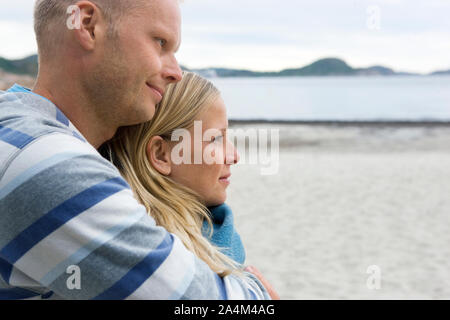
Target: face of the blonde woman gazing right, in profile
point(211, 178)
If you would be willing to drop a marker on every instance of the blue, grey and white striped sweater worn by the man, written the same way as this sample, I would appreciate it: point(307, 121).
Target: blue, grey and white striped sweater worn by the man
point(62, 204)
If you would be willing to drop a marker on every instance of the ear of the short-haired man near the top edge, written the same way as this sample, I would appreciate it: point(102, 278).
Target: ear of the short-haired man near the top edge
point(88, 24)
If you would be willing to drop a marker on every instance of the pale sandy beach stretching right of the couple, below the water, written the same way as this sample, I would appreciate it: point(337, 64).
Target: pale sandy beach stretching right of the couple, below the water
point(347, 197)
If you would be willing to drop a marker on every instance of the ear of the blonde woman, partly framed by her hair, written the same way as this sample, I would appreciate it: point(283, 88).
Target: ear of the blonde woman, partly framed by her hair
point(158, 154)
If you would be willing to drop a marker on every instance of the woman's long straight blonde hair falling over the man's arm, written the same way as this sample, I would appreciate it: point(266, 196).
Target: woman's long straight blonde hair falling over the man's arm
point(172, 205)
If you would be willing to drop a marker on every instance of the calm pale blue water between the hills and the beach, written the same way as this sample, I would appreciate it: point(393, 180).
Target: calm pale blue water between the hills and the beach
point(337, 98)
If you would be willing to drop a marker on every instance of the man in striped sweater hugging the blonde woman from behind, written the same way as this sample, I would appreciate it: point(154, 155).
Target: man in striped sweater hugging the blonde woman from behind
point(69, 225)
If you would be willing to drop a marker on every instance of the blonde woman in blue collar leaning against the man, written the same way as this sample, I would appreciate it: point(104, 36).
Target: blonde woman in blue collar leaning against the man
point(185, 197)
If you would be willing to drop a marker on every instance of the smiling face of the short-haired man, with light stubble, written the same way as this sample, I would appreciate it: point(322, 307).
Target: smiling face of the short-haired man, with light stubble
point(137, 64)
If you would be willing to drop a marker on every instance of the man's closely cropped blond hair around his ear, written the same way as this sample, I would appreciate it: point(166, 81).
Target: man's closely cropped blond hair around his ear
point(50, 18)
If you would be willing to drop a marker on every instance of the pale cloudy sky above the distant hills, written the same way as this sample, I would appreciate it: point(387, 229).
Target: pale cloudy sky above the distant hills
point(271, 35)
